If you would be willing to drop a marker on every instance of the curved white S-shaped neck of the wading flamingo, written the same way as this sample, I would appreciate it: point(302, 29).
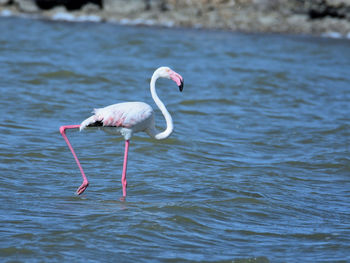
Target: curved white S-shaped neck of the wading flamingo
point(169, 121)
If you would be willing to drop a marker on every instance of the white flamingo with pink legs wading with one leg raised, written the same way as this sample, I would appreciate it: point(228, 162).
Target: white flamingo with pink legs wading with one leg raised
point(127, 118)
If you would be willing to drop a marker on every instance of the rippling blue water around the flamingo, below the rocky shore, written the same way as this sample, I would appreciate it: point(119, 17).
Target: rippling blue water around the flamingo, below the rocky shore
point(257, 169)
